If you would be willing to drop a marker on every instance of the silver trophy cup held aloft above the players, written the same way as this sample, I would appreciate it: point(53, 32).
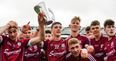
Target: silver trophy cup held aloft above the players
point(42, 7)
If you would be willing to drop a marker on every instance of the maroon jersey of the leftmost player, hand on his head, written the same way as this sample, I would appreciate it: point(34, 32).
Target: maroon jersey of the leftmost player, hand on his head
point(11, 50)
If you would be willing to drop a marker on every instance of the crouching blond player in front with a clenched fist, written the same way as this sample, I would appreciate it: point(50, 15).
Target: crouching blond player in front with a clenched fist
point(77, 53)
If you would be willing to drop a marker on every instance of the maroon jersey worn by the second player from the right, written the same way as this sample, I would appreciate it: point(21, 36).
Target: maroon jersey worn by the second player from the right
point(98, 48)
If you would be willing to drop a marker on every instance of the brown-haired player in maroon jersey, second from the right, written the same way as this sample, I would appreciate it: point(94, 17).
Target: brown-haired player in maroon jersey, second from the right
point(98, 41)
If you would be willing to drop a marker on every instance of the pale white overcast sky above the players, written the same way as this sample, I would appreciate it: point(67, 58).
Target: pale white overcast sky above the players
point(22, 11)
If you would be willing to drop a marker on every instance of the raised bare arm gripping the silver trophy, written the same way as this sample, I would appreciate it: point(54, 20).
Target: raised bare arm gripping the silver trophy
point(40, 36)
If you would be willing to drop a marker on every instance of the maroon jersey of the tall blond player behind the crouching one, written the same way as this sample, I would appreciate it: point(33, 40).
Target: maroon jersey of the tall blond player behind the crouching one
point(84, 40)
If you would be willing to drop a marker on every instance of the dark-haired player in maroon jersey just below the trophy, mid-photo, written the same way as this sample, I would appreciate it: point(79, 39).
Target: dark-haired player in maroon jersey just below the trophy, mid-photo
point(56, 47)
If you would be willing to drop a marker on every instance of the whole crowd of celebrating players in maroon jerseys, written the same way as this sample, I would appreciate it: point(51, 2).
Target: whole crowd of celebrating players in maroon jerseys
point(48, 45)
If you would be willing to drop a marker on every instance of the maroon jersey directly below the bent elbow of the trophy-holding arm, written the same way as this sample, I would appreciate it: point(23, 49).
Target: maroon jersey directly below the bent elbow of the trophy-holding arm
point(32, 53)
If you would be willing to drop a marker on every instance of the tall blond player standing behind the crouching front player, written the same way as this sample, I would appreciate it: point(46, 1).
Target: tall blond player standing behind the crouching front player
point(75, 27)
